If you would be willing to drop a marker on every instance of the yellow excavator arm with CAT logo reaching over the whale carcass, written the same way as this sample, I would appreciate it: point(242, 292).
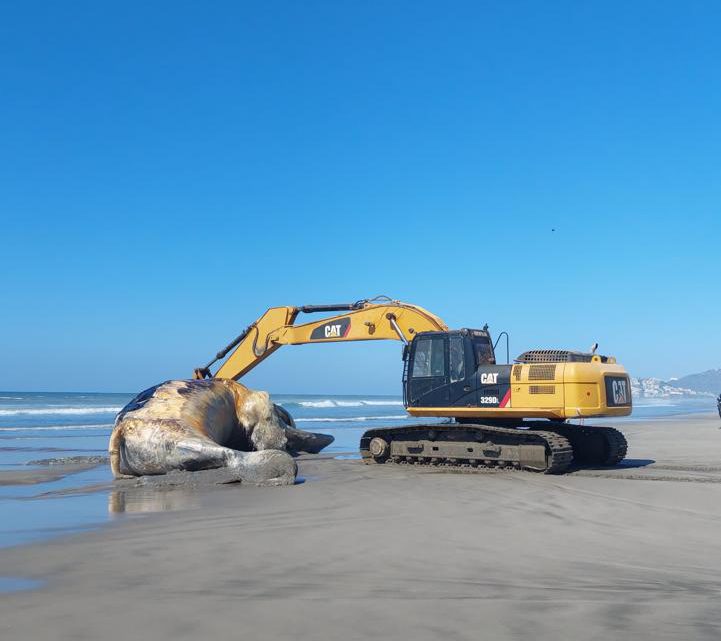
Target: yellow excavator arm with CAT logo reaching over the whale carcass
point(376, 319)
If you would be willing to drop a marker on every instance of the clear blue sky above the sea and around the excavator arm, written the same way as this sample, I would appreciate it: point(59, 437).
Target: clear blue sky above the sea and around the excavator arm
point(168, 172)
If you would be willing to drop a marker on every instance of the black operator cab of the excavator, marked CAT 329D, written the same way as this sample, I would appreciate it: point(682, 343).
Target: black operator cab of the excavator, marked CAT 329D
point(454, 369)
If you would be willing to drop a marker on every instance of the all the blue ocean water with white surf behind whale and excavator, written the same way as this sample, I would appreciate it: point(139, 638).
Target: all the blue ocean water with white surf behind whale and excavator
point(40, 426)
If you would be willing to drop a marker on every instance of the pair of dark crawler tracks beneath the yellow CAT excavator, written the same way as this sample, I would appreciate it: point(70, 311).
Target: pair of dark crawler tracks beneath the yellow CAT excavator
point(554, 449)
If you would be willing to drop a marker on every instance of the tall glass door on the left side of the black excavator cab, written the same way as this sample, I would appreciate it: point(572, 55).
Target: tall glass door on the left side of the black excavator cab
point(428, 372)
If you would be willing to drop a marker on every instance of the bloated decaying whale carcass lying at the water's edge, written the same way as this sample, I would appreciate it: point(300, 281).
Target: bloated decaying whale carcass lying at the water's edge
point(199, 425)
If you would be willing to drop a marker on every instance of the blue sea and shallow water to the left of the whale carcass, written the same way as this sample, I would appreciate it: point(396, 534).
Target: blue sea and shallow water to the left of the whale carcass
point(37, 426)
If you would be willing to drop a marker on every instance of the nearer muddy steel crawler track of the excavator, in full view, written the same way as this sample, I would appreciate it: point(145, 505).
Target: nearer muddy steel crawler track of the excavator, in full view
point(469, 446)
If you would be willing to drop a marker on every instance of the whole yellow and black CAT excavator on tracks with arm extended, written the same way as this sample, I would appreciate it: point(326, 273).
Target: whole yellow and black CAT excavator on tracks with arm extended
point(500, 415)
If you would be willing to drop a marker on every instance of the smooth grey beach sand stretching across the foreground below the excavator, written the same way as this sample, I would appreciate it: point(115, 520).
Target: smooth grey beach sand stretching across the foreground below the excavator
point(400, 552)
